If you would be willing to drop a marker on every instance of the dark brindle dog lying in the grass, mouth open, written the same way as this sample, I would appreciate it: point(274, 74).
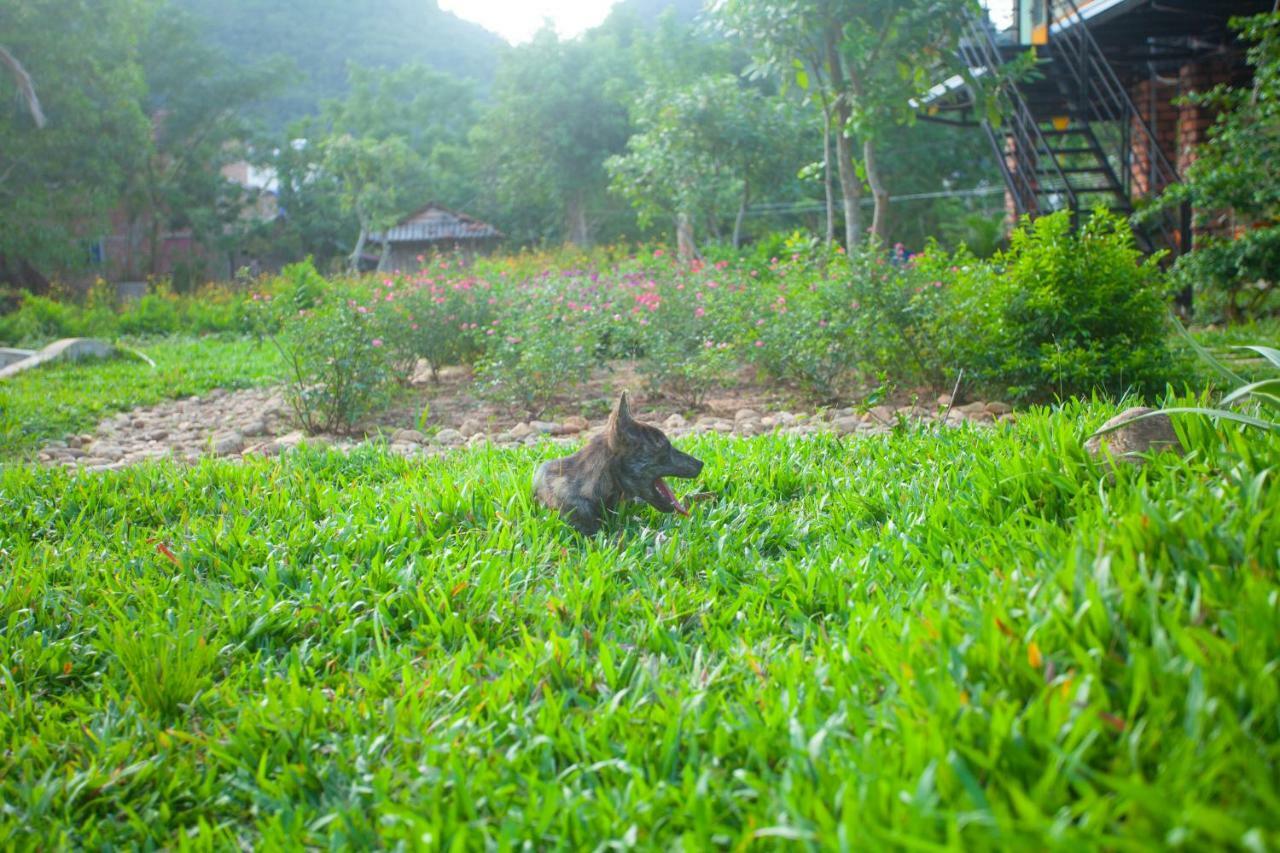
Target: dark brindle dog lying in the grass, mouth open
point(628, 460)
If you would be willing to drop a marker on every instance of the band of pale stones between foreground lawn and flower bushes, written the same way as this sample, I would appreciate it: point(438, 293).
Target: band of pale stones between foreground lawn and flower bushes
point(258, 422)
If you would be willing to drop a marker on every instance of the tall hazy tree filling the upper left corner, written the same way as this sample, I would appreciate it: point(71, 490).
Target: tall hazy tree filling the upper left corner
point(60, 183)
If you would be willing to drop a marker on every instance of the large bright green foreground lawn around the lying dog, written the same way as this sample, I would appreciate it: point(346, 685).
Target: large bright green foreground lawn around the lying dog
point(967, 640)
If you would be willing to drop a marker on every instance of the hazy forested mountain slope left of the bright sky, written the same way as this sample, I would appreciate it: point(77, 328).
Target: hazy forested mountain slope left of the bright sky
point(323, 37)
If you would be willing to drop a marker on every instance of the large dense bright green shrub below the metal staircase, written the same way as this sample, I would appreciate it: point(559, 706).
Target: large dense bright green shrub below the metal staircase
point(1062, 313)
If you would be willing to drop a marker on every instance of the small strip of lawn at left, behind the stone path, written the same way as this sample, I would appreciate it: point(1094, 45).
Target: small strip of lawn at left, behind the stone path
point(60, 399)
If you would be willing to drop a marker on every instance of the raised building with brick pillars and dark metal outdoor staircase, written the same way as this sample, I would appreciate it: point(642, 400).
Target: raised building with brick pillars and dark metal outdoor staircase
point(1100, 122)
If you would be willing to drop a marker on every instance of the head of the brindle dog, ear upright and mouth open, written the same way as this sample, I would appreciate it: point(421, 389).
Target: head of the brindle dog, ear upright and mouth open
point(646, 457)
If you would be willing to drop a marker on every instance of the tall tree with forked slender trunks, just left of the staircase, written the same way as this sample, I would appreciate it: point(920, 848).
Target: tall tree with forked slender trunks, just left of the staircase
point(867, 60)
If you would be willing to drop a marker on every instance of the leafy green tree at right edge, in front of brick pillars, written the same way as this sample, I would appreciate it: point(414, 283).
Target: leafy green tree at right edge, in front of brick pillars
point(1236, 181)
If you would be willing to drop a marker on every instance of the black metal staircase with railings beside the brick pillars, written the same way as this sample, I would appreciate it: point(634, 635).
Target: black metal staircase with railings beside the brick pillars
point(1068, 139)
